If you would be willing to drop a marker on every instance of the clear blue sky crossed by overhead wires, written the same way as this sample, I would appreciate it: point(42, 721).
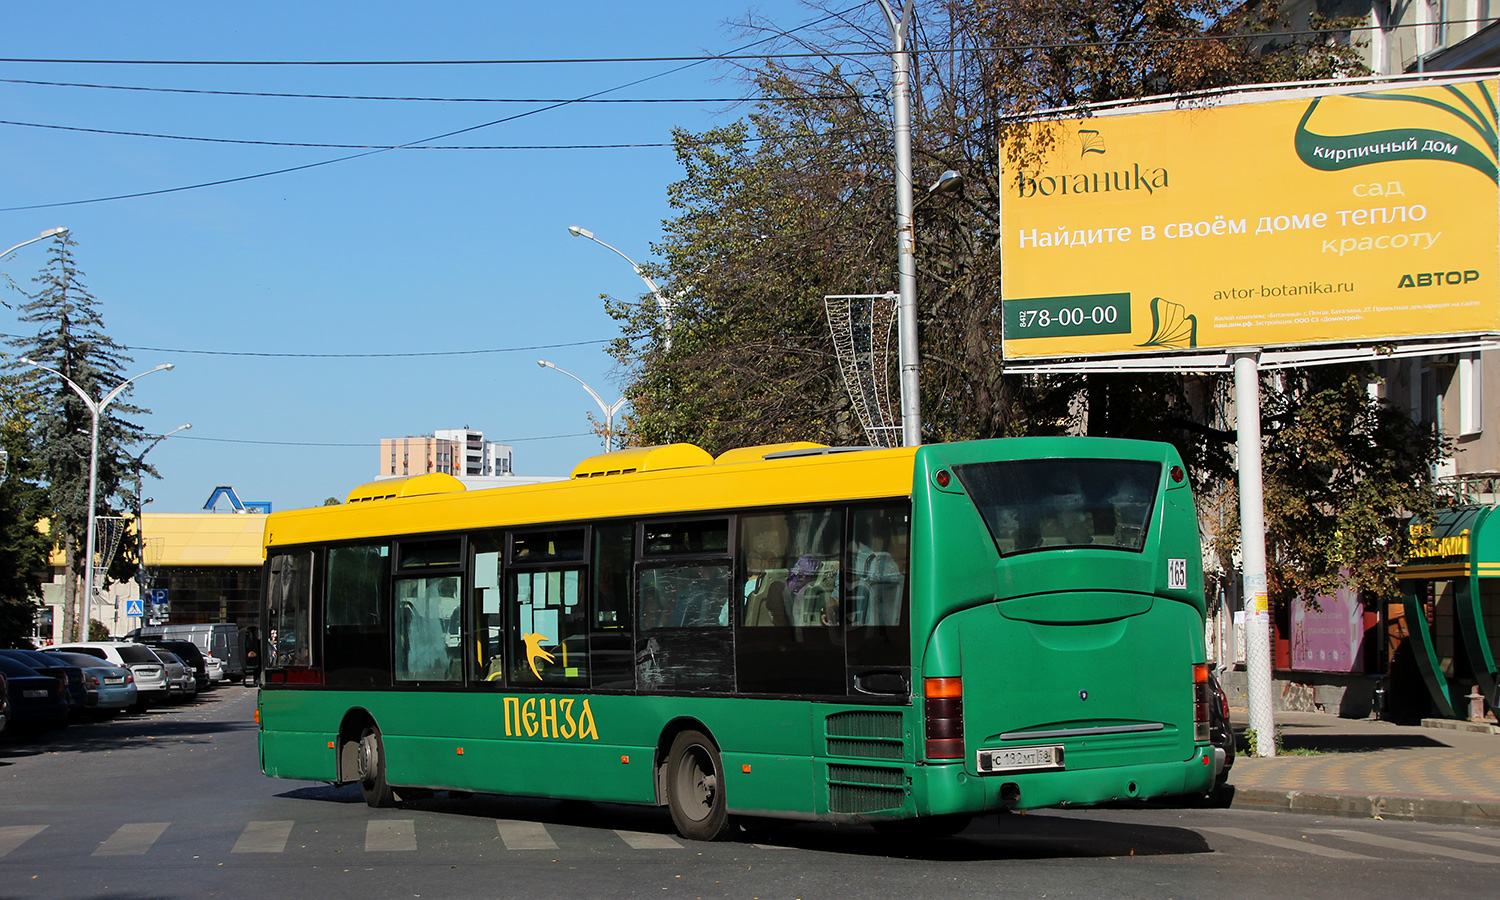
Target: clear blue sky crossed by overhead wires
point(409, 251)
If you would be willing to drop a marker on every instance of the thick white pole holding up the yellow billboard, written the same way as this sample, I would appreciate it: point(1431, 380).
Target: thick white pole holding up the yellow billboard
point(1253, 550)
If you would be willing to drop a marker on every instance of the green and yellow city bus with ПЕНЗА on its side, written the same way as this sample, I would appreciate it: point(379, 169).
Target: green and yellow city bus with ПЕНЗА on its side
point(907, 638)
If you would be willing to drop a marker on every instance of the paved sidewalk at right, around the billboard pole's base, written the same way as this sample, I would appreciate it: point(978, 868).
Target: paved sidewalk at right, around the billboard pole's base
point(1370, 769)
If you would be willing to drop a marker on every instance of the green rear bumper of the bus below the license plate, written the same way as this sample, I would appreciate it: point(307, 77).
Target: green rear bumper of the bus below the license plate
point(943, 790)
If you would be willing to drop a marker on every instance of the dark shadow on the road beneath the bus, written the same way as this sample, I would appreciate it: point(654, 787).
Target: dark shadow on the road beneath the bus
point(1016, 836)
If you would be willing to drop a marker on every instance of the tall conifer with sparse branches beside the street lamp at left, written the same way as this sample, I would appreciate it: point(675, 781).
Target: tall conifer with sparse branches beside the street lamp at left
point(71, 340)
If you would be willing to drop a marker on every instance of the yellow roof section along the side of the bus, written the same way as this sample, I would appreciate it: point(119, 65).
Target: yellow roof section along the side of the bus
point(683, 488)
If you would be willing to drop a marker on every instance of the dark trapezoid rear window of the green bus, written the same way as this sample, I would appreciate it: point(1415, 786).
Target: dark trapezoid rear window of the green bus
point(1052, 505)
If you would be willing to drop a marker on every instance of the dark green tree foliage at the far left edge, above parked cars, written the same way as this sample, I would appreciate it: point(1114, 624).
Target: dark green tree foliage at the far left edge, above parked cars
point(23, 505)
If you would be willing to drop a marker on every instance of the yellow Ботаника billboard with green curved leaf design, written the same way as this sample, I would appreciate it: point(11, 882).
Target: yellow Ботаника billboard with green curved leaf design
point(1316, 218)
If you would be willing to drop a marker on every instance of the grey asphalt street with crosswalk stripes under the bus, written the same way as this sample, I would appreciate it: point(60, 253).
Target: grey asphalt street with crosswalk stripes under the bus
point(172, 806)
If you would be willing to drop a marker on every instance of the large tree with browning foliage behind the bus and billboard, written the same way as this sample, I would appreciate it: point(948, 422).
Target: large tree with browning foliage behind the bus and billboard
point(797, 202)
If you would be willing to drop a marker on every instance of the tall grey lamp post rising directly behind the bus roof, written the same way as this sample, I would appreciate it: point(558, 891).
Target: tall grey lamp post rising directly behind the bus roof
point(901, 28)
